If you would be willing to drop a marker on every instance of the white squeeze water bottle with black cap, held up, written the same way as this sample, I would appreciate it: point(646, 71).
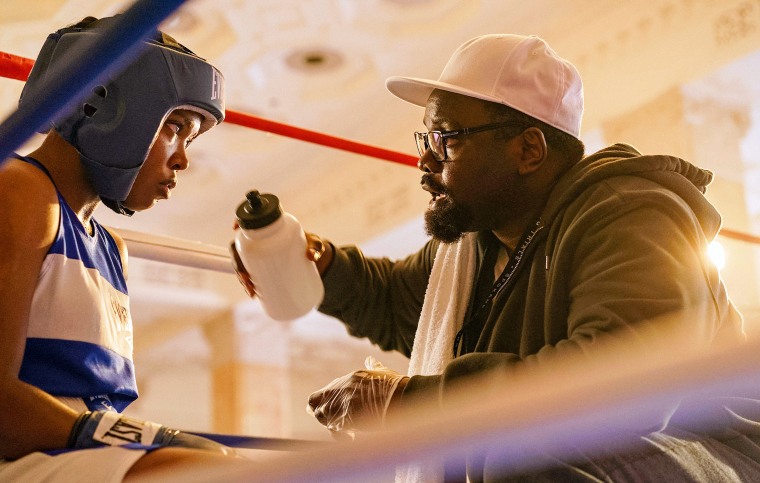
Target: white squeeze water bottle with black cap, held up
point(272, 247)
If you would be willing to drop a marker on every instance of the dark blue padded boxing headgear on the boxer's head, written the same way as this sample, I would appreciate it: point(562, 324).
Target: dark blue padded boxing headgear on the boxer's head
point(115, 127)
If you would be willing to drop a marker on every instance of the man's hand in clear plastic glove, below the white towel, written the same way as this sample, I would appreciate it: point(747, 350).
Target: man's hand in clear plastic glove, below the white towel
point(356, 401)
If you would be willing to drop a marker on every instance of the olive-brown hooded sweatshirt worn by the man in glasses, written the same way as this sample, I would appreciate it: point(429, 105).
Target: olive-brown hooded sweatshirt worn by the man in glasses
point(624, 243)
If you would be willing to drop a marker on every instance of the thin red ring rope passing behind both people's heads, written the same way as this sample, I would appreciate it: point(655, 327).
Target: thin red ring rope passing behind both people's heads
point(15, 67)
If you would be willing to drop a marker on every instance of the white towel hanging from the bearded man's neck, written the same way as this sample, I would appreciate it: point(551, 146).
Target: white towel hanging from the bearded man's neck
point(443, 311)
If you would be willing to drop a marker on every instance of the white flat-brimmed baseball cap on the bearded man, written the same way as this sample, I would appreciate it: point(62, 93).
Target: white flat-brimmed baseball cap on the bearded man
point(521, 72)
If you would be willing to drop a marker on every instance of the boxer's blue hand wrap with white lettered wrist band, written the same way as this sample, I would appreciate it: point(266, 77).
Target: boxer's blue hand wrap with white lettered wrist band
point(109, 428)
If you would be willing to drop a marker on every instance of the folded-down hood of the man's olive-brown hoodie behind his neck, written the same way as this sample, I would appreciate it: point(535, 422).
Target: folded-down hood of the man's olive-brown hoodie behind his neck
point(674, 174)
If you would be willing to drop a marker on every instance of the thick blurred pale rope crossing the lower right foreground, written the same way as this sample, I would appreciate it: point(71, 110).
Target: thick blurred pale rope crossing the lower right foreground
point(579, 404)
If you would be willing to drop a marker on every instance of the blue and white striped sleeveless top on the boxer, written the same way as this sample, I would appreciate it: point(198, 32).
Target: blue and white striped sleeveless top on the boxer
point(79, 341)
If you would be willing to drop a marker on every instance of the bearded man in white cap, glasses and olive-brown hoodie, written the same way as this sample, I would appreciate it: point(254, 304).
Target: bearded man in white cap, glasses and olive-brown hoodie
point(538, 255)
